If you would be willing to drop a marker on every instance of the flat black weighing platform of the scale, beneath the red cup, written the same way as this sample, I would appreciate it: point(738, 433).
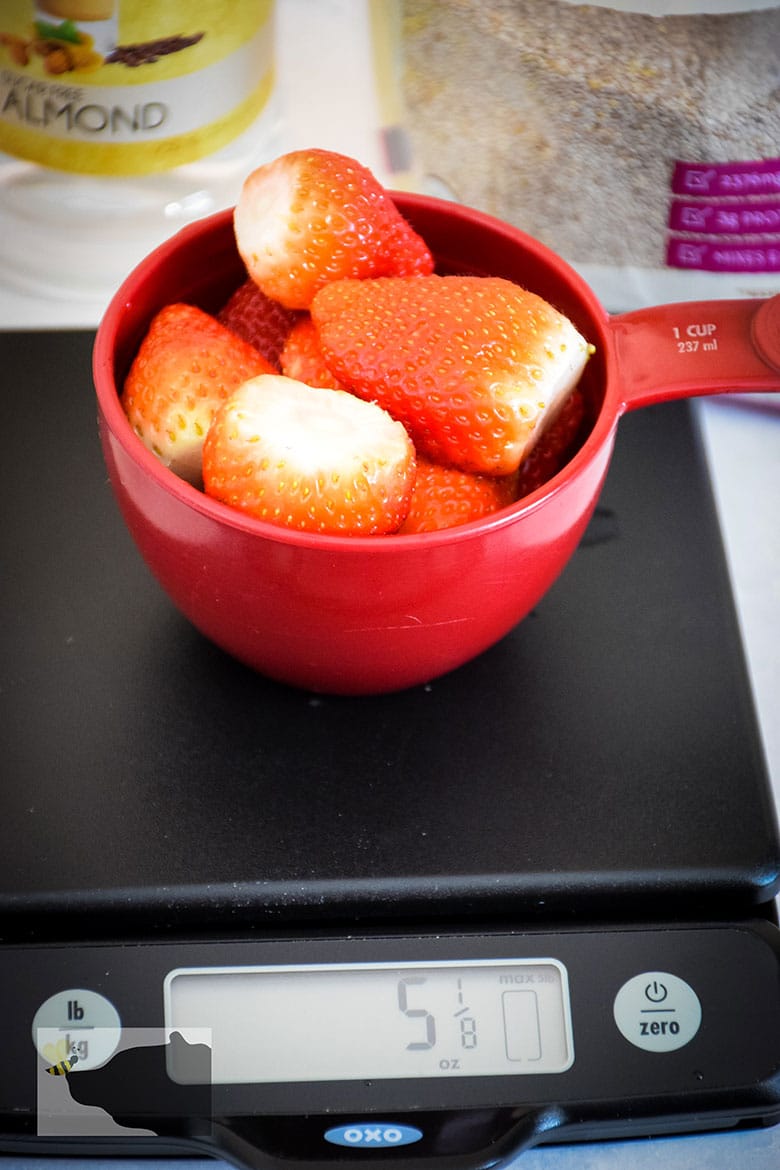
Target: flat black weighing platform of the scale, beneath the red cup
point(602, 762)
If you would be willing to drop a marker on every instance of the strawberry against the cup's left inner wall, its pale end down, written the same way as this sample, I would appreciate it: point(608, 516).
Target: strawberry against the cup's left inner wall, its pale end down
point(187, 366)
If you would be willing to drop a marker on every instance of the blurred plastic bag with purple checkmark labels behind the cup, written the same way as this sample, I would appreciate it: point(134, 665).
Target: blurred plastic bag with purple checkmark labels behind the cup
point(639, 140)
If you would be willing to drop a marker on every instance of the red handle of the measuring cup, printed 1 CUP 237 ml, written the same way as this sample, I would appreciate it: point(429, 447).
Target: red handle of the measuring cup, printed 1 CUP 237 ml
point(698, 348)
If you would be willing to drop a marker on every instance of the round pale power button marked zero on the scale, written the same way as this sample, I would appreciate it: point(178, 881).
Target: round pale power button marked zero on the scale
point(658, 1011)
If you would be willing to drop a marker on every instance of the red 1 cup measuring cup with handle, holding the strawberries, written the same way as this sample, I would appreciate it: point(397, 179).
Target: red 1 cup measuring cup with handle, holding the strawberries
point(372, 615)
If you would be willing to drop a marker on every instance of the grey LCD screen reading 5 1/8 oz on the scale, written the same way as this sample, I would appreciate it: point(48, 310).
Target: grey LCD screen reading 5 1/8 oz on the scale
point(375, 1021)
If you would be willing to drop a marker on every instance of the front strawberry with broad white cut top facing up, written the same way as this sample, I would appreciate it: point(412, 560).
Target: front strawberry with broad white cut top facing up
point(308, 458)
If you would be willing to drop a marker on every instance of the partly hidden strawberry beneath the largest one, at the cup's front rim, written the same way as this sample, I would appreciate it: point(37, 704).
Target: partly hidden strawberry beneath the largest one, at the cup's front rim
point(445, 497)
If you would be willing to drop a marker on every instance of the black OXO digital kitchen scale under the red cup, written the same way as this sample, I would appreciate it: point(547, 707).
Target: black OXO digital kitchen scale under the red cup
point(531, 901)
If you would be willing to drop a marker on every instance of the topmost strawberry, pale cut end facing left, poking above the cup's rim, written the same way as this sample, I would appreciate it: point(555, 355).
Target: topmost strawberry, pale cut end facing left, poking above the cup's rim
point(312, 217)
